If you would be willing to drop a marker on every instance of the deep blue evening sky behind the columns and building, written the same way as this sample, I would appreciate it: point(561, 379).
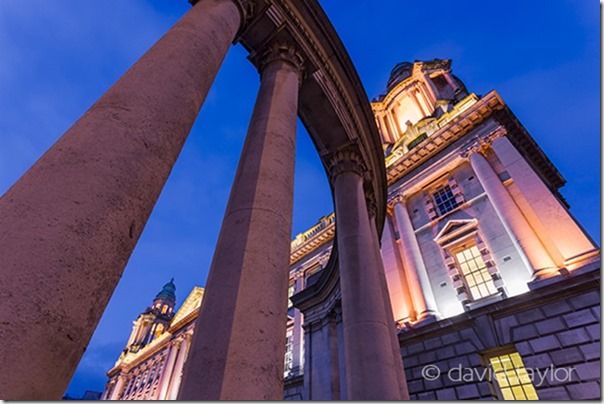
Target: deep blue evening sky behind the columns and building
point(57, 57)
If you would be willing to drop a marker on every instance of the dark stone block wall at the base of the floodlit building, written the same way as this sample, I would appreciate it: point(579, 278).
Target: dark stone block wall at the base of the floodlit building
point(554, 329)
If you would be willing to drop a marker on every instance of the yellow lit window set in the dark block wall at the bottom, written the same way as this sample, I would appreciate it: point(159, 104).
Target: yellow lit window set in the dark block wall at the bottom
point(512, 378)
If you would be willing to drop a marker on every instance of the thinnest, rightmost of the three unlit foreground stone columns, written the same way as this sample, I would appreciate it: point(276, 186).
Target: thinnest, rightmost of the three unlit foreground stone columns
point(372, 369)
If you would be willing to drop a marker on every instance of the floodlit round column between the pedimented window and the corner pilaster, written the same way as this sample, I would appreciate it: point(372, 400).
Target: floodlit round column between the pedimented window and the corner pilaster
point(528, 245)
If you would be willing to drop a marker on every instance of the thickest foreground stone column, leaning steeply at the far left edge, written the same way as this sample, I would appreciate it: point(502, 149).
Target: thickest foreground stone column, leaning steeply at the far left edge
point(69, 224)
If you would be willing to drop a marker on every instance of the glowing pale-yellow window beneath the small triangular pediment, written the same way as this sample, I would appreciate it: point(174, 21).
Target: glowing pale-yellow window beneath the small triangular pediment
point(475, 273)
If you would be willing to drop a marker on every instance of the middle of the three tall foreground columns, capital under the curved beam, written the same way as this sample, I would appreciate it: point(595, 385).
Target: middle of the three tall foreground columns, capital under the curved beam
point(239, 340)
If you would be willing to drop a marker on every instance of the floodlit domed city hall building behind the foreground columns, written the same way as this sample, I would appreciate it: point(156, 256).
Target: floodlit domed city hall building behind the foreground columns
point(485, 267)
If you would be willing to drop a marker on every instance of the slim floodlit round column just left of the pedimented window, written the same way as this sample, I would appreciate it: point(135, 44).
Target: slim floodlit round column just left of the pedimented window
point(413, 263)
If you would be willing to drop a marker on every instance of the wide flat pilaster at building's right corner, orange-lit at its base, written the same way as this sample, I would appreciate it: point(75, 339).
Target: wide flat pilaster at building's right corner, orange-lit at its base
point(563, 238)
